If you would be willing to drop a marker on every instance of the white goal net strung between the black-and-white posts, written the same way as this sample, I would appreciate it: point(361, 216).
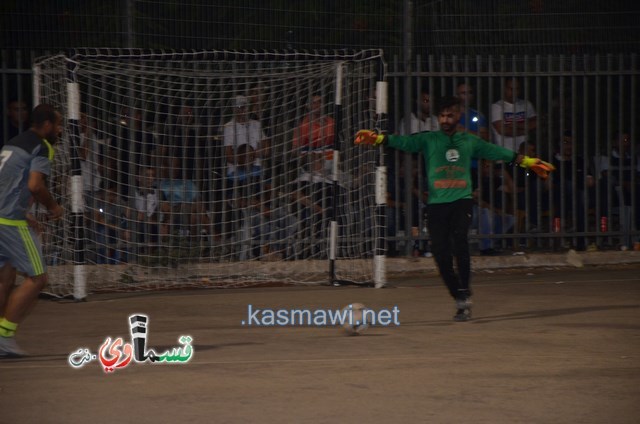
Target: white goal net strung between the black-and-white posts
point(212, 169)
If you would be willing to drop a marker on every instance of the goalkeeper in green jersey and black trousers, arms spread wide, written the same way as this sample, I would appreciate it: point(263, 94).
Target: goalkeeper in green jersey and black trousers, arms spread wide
point(447, 155)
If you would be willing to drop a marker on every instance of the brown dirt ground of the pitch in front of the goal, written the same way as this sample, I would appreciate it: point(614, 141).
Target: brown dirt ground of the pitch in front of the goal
point(545, 346)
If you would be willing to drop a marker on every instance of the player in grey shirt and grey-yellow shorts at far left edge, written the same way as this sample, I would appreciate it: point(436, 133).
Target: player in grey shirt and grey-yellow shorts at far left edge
point(25, 164)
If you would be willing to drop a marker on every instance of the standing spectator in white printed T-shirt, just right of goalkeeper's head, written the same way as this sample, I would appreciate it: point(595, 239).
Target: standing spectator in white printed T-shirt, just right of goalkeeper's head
point(511, 117)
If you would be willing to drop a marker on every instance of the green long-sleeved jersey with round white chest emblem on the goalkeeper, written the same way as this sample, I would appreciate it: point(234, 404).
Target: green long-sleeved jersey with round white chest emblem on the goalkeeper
point(448, 160)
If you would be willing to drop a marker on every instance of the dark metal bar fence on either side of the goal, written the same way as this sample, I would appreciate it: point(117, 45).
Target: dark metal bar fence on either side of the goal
point(587, 124)
